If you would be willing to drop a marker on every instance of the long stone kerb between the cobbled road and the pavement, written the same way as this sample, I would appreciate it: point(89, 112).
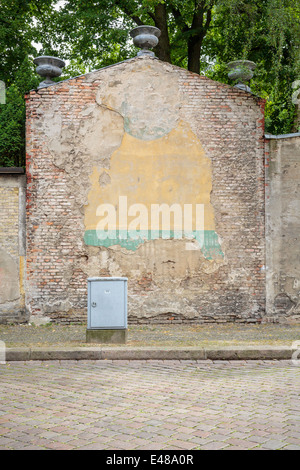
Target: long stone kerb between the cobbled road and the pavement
point(151, 353)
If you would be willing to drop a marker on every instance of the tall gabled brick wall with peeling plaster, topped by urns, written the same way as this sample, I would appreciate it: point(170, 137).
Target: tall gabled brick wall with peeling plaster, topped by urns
point(86, 139)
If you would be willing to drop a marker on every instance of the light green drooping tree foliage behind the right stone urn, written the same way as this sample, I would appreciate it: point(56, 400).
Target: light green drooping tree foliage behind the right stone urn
point(268, 33)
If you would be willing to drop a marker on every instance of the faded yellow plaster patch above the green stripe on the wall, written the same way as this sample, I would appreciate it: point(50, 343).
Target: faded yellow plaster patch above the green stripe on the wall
point(171, 170)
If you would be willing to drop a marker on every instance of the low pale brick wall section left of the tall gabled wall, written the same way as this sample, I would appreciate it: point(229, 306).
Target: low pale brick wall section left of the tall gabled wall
point(12, 248)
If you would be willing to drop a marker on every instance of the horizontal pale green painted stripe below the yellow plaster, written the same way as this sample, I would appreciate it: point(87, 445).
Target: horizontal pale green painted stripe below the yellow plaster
point(210, 245)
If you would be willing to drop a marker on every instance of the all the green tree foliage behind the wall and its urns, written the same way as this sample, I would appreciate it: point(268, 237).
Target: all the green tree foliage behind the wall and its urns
point(201, 35)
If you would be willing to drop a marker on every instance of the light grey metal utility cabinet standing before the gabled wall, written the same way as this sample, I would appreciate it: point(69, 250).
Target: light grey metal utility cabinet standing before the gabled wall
point(107, 303)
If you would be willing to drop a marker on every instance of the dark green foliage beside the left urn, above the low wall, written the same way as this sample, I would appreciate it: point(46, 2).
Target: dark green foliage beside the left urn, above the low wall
point(17, 33)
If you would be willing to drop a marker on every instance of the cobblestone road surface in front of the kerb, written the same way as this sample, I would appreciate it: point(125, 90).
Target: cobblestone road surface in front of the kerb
point(152, 405)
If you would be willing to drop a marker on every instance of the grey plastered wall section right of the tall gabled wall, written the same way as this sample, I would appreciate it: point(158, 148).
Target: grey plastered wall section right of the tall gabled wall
point(283, 228)
